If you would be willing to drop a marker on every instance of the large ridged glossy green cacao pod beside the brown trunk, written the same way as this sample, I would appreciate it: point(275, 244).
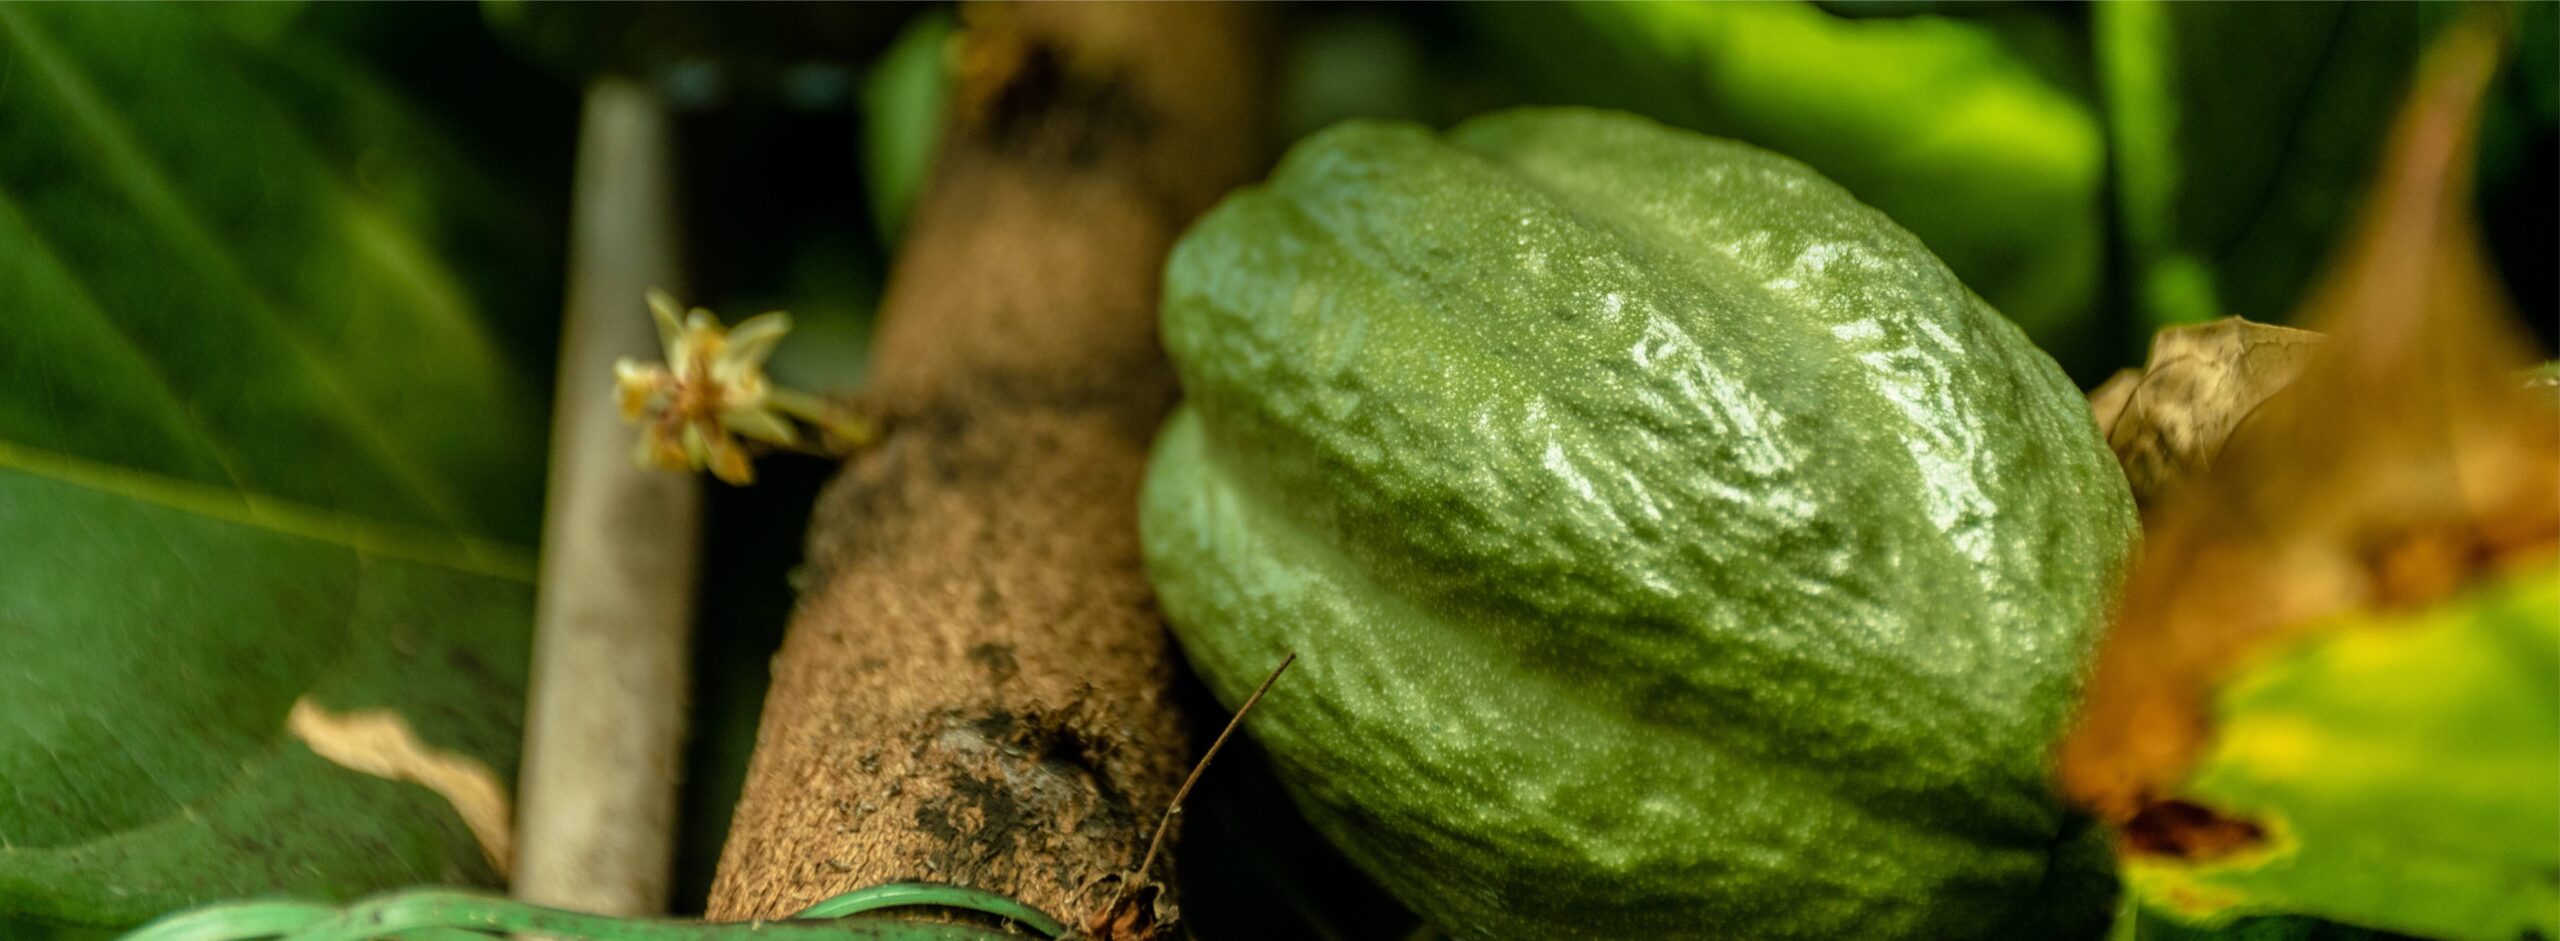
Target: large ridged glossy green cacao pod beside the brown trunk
point(1673, 546)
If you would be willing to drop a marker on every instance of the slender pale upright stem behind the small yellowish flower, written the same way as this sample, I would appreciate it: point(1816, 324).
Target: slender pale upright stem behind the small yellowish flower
point(611, 664)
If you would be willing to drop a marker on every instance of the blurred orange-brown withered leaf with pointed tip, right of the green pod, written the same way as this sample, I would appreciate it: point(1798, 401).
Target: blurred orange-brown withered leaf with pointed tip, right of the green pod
point(2400, 464)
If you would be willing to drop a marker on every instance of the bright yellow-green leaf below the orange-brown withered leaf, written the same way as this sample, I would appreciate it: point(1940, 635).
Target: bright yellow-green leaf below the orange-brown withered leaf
point(2403, 774)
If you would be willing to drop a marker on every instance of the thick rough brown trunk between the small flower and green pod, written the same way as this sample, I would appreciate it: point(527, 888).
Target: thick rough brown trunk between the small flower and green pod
point(977, 689)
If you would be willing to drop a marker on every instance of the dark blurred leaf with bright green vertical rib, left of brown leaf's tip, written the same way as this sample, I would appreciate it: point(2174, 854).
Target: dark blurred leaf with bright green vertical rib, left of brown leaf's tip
point(2244, 137)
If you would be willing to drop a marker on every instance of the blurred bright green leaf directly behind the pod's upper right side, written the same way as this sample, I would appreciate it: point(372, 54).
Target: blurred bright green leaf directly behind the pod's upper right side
point(1937, 121)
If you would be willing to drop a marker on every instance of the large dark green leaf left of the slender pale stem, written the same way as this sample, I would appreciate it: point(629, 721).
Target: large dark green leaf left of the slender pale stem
point(257, 451)
